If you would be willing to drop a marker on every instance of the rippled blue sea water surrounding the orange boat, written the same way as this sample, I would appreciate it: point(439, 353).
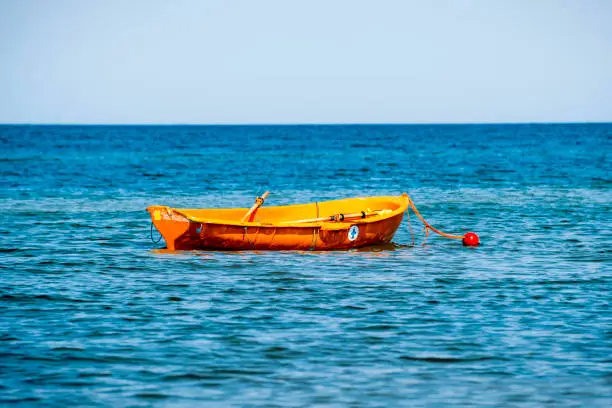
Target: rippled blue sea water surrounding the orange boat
point(93, 313)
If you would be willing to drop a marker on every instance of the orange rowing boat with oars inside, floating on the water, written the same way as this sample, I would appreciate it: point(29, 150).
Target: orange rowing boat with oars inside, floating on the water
point(327, 225)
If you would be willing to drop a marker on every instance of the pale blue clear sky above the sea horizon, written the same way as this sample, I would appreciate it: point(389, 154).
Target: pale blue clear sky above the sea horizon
point(309, 61)
